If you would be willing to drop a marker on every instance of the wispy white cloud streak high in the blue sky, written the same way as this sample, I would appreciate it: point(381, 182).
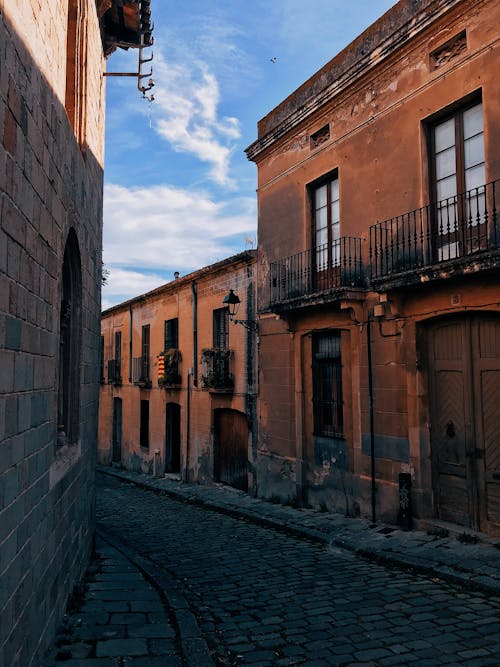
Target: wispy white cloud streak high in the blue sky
point(186, 105)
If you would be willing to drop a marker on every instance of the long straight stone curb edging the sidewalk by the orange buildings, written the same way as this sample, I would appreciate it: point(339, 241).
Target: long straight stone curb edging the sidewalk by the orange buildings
point(409, 563)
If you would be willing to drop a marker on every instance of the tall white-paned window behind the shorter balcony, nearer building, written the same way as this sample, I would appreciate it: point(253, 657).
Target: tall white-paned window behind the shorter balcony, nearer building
point(326, 214)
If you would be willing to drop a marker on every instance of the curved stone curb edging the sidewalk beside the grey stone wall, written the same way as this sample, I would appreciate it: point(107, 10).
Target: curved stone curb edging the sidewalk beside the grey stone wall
point(193, 647)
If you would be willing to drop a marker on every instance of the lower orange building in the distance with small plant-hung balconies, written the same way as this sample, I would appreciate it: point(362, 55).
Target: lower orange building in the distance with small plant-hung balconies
point(178, 390)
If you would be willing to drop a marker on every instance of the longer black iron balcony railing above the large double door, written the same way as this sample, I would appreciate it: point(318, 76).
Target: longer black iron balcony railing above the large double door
point(457, 227)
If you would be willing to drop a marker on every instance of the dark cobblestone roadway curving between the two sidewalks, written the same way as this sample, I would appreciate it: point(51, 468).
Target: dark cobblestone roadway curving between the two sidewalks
point(262, 597)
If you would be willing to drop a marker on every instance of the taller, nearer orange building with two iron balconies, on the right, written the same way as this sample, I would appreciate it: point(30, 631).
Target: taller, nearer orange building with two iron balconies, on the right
point(378, 279)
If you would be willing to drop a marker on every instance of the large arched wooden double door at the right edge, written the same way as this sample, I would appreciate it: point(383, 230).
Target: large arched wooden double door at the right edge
point(465, 422)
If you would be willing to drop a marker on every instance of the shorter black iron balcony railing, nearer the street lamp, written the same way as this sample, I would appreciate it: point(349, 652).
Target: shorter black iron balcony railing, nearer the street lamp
point(323, 269)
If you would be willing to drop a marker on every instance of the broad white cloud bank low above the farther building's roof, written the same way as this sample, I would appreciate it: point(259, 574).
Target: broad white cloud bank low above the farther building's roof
point(163, 226)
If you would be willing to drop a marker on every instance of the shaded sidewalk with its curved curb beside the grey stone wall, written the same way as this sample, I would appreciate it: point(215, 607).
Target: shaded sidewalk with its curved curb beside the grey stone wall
point(119, 619)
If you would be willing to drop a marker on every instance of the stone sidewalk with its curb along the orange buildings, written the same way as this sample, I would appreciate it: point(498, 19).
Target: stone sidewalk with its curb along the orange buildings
point(463, 558)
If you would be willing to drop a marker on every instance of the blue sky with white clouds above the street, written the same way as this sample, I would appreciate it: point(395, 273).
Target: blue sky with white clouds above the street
point(179, 191)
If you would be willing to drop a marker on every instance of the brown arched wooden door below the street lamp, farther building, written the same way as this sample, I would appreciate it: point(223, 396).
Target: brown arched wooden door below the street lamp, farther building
point(231, 448)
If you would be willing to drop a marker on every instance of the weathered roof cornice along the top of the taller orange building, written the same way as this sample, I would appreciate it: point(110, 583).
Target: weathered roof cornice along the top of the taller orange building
point(382, 39)
